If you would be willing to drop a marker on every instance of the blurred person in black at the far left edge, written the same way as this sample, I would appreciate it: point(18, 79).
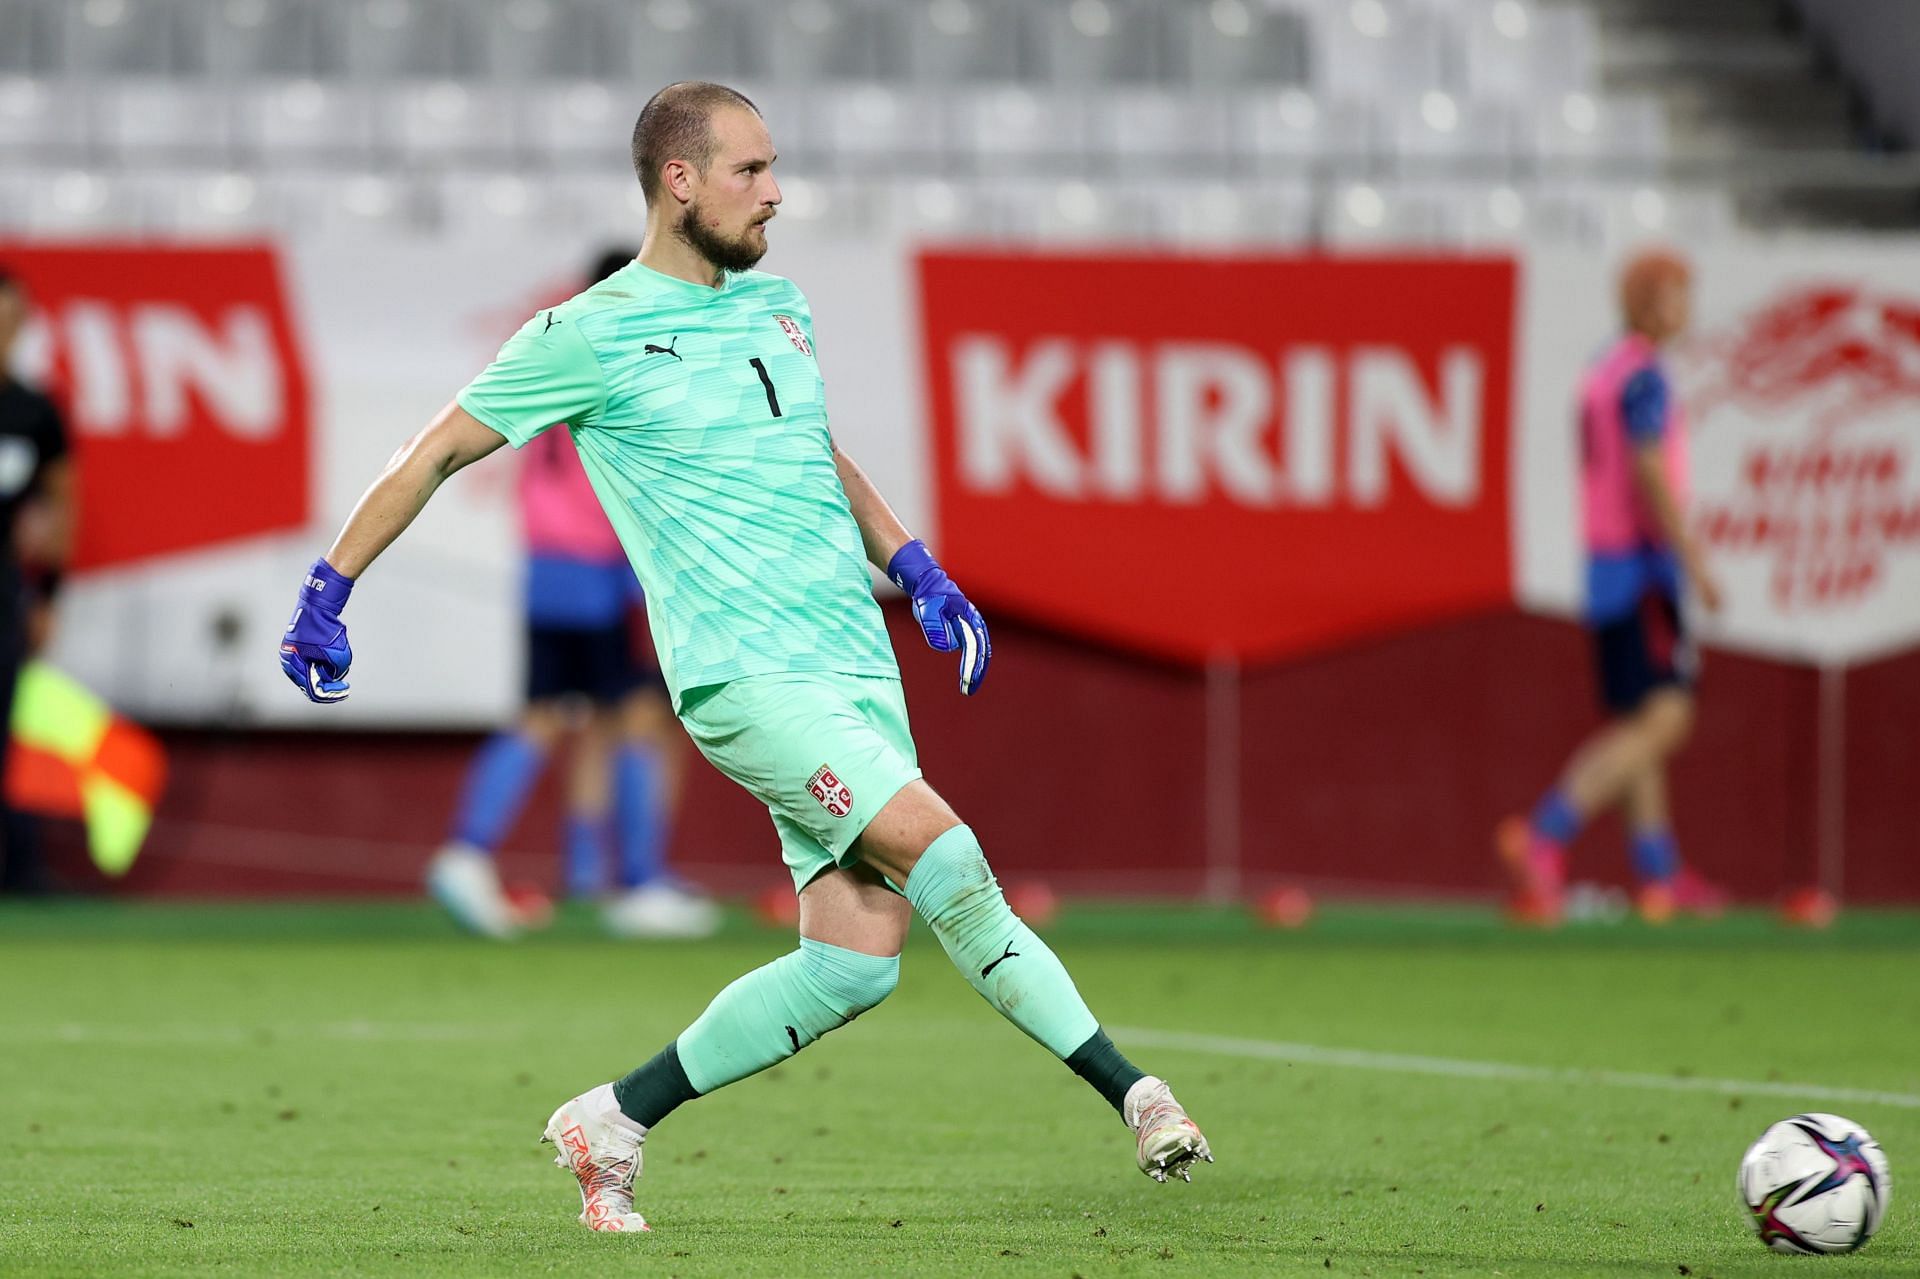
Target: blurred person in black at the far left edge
point(36, 541)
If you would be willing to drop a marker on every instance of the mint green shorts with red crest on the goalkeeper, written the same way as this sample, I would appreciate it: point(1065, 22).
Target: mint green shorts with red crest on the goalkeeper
point(823, 752)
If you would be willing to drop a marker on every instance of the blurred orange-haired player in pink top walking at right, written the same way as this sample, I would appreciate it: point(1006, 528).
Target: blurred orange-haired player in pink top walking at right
point(1641, 560)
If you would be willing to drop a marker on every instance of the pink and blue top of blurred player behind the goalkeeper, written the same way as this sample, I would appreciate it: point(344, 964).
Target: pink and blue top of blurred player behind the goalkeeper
point(577, 575)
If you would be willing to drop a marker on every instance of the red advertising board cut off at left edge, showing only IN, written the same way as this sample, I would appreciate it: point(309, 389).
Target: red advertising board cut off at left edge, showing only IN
point(185, 389)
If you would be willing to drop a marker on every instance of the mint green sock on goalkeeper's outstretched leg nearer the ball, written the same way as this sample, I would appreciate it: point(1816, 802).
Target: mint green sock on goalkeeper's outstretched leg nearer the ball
point(999, 955)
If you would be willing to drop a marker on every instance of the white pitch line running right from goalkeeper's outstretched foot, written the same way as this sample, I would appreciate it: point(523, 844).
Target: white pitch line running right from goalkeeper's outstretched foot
point(1458, 1069)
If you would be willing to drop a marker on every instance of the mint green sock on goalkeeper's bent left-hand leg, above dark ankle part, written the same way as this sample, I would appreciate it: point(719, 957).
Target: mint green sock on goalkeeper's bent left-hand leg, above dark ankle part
point(782, 1007)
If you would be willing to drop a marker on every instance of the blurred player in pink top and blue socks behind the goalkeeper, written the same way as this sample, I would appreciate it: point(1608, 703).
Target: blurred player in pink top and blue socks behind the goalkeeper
point(585, 671)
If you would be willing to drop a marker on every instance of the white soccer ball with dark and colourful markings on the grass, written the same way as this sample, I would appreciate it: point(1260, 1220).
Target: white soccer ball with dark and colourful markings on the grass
point(1815, 1184)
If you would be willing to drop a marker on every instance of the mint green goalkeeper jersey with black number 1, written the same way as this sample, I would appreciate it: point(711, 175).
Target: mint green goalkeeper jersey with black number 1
point(700, 416)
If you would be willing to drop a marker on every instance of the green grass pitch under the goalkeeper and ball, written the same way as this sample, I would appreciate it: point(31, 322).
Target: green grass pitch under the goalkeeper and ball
point(358, 1092)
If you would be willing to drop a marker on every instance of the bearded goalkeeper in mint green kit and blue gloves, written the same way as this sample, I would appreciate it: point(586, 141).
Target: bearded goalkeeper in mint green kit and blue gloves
point(700, 412)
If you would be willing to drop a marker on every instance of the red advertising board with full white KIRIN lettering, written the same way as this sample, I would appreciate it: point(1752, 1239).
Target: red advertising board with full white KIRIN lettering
point(1222, 458)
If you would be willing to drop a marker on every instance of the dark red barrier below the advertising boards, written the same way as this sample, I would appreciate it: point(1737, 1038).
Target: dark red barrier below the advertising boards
point(1380, 769)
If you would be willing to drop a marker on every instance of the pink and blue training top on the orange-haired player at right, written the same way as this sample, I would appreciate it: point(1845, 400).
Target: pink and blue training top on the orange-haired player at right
point(1625, 406)
